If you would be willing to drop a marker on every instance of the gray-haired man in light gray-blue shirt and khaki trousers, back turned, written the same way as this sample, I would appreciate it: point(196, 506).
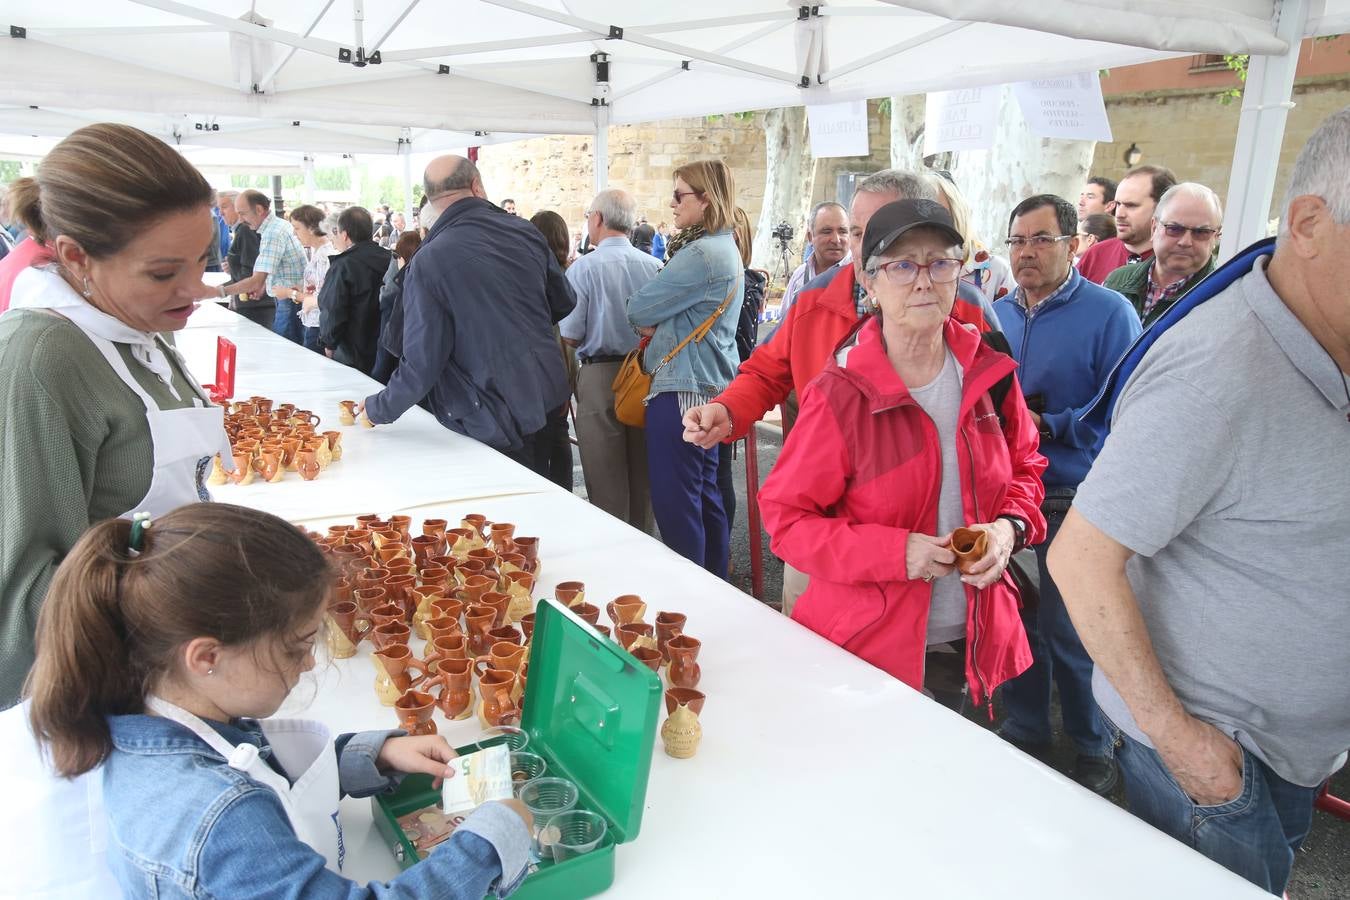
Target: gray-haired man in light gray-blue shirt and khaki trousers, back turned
point(614, 455)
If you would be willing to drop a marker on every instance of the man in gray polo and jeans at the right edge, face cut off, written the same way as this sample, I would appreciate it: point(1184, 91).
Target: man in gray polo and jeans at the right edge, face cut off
point(1204, 559)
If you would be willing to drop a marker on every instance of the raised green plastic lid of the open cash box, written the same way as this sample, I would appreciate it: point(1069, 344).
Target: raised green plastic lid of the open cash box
point(593, 709)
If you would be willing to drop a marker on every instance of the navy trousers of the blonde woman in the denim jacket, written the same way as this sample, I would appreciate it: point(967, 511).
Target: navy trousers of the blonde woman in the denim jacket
point(686, 501)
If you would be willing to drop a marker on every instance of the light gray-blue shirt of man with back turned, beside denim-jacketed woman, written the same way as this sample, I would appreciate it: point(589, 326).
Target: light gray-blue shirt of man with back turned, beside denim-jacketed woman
point(604, 280)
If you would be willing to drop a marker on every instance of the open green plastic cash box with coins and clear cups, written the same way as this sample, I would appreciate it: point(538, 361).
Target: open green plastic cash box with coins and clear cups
point(591, 712)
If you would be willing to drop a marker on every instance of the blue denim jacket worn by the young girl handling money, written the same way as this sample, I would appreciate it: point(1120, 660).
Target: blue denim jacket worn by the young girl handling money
point(183, 824)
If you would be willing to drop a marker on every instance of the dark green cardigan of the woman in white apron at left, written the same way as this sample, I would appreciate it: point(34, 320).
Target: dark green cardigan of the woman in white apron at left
point(75, 449)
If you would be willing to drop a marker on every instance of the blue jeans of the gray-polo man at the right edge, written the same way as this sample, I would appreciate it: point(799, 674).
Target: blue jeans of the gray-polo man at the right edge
point(1255, 836)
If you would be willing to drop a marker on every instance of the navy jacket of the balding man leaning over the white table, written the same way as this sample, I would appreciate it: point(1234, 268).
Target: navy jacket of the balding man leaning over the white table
point(481, 299)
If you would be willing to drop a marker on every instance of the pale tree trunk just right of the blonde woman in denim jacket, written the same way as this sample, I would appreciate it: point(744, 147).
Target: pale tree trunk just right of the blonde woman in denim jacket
point(789, 183)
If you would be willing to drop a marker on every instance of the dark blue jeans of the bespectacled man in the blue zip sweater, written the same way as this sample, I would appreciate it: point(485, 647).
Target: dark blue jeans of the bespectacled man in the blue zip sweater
point(1056, 654)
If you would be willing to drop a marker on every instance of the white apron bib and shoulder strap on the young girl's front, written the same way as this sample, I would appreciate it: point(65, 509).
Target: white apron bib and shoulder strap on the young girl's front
point(304, 750)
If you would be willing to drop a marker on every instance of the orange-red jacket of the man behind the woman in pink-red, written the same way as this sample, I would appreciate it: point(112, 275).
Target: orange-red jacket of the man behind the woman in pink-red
point(815, 326)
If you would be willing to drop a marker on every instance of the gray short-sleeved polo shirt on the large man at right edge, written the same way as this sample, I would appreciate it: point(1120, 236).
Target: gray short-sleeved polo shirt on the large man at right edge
point(1228, 473)
